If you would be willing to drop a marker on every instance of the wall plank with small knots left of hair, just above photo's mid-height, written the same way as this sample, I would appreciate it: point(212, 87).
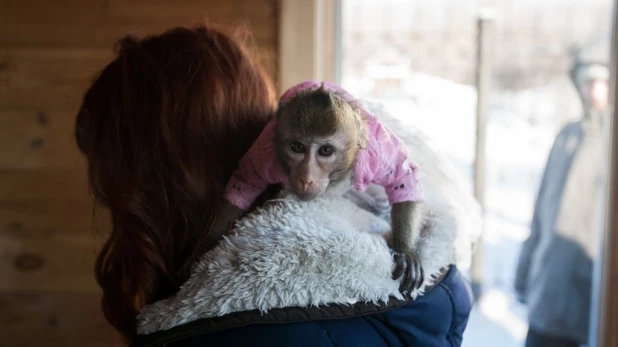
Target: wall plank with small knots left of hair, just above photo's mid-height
point(38, 139)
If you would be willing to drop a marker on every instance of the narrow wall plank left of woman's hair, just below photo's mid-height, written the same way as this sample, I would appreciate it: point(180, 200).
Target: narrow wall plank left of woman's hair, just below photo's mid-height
point(43, 186)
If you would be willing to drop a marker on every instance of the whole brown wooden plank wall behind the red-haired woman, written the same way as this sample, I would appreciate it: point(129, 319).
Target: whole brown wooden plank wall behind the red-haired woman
point(49, 52)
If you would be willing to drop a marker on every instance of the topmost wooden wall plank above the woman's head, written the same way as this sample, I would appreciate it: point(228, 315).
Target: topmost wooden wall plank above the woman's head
point(70, 23)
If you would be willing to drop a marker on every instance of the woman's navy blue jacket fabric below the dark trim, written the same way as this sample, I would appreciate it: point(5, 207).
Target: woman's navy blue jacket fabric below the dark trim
point(436, 319)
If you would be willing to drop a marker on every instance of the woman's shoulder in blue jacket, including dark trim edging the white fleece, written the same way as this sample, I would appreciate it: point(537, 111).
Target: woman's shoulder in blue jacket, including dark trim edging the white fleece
point(436, 318)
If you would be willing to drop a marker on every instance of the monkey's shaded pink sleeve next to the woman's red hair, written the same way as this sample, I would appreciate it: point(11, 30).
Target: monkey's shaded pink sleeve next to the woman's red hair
point(257, 169)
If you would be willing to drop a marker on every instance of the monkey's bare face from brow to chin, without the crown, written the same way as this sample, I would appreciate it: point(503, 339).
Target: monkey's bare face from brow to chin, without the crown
point(312, 164)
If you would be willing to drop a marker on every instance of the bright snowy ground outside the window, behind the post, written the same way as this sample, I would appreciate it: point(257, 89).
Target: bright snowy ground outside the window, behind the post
point(520, 130)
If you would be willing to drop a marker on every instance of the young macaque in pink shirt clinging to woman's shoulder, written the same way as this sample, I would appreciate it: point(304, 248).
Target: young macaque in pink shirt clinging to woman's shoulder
point(319, 141)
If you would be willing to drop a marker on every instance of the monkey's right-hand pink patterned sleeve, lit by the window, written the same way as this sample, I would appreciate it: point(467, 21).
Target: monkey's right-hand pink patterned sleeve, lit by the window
point(386, 161)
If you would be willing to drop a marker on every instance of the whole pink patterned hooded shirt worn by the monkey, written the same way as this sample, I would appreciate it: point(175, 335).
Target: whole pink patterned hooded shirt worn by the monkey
point(385, 161)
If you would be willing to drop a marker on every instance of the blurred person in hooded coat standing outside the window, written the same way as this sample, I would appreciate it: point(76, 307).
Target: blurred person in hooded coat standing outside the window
point(555, 269)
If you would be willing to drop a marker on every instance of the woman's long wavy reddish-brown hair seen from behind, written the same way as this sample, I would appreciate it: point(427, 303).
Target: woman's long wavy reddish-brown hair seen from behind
point(162, 127)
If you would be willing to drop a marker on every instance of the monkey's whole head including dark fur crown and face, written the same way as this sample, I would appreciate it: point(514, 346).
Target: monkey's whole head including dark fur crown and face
point(318, 137)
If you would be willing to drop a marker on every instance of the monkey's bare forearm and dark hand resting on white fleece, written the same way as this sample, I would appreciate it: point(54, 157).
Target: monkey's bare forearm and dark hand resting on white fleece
point(404, 237)
